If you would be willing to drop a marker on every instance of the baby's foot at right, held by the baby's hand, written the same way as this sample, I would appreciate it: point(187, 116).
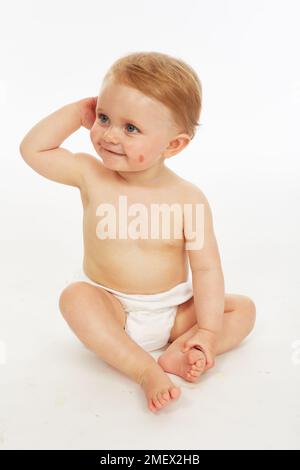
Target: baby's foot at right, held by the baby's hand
point(189, 365)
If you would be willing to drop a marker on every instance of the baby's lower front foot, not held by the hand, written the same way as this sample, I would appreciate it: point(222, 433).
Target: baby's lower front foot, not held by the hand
point(158, 388)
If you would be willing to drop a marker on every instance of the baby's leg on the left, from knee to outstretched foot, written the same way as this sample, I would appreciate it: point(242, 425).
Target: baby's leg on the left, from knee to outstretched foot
point(98, 320)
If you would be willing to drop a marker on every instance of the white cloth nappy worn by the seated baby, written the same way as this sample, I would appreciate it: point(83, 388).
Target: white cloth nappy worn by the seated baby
point(150, 317)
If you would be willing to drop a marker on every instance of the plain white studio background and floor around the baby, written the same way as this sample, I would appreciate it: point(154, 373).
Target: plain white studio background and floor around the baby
point(245, 157)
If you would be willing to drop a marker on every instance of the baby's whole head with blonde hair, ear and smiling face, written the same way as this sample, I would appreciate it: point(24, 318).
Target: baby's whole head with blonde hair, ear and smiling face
point(147, 110)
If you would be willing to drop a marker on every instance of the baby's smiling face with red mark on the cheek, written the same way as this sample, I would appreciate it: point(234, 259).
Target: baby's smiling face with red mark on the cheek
point(133, 125)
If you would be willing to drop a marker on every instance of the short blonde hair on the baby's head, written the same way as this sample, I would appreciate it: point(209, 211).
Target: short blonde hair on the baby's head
point(166, 79)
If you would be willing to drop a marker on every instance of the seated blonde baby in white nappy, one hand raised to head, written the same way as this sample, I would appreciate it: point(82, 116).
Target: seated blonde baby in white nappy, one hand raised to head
point(133, 293)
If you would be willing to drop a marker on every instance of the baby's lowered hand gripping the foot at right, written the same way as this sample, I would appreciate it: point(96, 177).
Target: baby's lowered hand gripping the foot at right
point(206, 342)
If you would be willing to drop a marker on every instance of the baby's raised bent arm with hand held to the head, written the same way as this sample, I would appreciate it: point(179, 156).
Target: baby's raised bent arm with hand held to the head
point(41, 149)
